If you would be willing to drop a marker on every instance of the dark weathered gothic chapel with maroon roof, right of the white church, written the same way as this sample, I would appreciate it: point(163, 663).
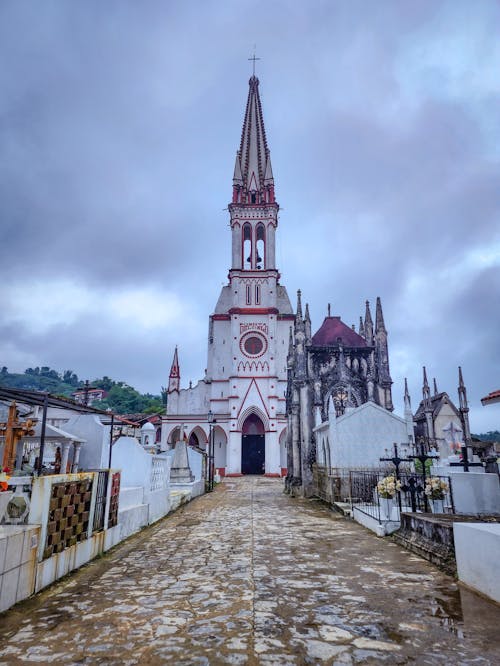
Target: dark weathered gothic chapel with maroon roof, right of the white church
point(331, 373)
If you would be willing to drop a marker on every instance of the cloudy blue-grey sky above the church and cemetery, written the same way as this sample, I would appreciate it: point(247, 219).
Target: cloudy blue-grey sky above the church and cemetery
point(119, 123)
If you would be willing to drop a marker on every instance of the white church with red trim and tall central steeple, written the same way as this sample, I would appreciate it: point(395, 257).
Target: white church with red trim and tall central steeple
point(241, 400)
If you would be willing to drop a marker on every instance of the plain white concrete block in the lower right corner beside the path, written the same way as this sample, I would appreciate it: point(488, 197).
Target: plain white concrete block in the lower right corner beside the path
point(477, 546)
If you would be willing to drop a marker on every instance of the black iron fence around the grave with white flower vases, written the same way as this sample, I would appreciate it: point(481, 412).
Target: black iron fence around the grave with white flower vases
point(411, 496)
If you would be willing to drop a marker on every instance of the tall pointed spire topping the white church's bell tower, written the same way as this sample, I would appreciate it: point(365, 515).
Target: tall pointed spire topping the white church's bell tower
point(253, 172)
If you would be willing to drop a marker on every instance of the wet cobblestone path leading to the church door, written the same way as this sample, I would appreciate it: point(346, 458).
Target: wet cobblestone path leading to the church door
point(248, 575)
